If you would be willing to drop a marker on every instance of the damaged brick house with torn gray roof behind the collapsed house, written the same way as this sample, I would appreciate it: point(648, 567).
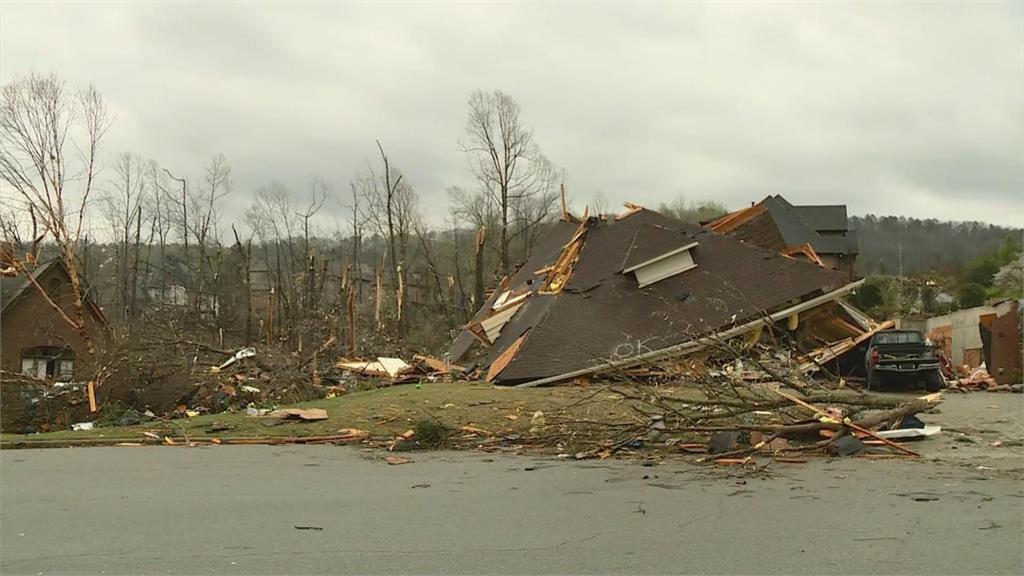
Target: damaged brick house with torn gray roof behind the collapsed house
point(819, 234)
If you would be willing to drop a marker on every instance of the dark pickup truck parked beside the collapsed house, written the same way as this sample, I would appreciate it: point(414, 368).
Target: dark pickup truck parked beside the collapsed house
point(902, 355)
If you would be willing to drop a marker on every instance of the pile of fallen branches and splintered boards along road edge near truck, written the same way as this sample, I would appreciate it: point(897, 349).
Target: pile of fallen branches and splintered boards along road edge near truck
point(762, 421)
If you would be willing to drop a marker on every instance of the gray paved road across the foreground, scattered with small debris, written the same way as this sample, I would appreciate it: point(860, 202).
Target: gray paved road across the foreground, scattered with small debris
point(235, 511)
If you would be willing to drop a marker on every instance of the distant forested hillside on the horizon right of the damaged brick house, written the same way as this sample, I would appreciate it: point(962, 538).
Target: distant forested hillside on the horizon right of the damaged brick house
point(928, 245)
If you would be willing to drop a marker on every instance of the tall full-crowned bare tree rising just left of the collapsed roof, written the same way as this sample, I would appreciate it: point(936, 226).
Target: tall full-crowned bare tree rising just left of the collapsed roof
point(507, 163)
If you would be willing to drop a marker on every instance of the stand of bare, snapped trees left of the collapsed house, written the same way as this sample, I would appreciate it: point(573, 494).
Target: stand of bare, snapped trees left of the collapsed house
point(388, 280)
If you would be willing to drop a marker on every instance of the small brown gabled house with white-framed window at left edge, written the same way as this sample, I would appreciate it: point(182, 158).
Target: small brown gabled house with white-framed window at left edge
point(34, 339)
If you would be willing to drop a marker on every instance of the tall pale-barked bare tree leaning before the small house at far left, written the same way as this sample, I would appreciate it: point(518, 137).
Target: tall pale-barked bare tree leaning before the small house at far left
point(50, 141)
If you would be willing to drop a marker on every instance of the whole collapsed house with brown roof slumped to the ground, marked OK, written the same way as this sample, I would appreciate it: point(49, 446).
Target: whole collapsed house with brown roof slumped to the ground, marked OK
point(600, 295)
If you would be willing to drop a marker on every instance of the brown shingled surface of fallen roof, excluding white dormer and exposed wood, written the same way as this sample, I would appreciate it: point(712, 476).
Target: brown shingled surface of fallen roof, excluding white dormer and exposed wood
point(603, 315)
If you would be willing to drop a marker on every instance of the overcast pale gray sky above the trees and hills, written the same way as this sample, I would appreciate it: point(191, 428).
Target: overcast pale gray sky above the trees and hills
point(893, 109)
